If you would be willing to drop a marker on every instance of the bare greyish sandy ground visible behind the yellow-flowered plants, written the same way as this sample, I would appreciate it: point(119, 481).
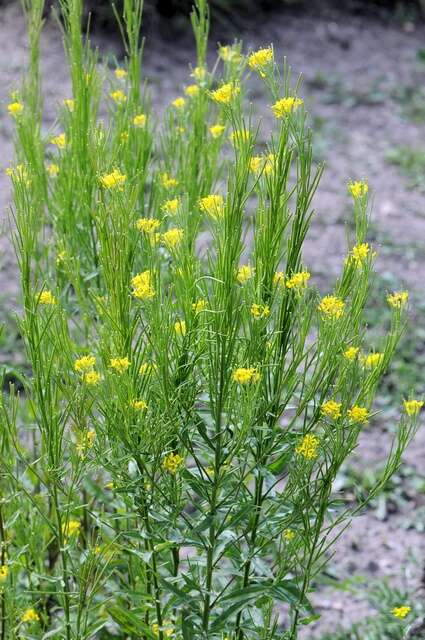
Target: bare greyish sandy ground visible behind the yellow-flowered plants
point(353, 70)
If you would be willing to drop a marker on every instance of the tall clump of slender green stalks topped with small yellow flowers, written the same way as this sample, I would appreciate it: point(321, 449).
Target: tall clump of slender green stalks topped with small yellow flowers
point(191, 397)
